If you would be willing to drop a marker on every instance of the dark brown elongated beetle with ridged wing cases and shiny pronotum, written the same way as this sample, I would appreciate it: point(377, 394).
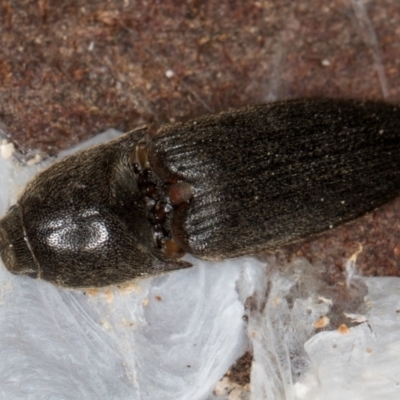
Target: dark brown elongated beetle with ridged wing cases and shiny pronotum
point(218, 186)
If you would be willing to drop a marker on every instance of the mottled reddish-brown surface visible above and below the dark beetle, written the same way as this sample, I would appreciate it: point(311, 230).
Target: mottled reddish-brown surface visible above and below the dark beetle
point(70, 70)
